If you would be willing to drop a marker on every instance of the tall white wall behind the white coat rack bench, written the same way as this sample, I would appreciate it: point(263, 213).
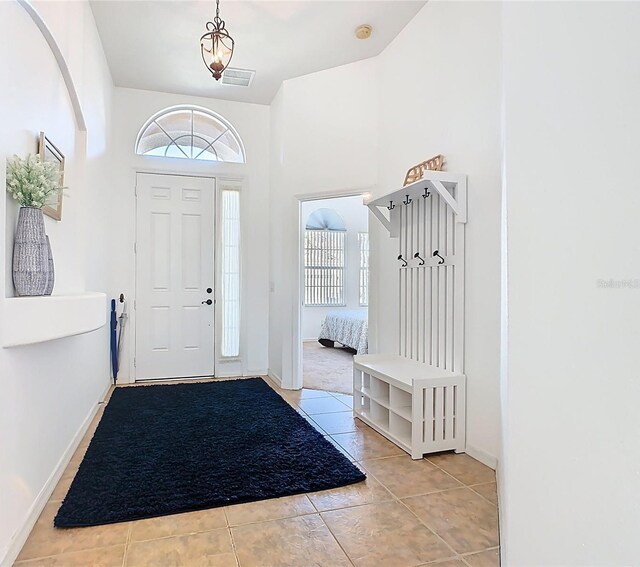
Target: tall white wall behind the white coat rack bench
point(439, 83)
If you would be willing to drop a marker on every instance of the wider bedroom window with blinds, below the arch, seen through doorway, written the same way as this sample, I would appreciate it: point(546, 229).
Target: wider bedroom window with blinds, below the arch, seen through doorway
point(324, 267)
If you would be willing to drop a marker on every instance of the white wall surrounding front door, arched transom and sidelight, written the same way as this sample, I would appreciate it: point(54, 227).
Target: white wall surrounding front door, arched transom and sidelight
point(132, 108)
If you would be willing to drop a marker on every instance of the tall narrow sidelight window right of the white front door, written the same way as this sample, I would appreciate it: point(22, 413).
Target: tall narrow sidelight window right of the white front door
point(230, 346)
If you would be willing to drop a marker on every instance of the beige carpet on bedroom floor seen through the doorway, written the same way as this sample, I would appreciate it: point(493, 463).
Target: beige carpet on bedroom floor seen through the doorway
point(327, 368)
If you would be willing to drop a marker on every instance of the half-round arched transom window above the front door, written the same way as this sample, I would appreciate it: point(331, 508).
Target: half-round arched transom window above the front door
point(190, 132)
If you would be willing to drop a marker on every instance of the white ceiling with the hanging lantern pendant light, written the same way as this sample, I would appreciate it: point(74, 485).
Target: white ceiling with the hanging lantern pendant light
point(154, 45)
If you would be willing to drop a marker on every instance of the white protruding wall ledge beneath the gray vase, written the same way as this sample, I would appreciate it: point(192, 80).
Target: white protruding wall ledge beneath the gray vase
point(31, 320)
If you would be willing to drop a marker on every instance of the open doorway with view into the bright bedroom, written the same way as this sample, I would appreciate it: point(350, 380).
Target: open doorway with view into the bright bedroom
point(335, 290)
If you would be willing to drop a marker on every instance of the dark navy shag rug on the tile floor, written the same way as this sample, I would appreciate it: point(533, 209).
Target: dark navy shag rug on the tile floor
point(167, 449)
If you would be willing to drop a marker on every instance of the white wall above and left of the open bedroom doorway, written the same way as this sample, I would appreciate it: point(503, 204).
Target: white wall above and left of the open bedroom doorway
point(324, 139)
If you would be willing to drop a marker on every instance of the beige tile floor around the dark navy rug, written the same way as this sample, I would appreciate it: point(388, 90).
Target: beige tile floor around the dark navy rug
point(439, 511)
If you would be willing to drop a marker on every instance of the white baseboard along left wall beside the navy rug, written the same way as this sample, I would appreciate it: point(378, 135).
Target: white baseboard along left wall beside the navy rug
point(20, 537)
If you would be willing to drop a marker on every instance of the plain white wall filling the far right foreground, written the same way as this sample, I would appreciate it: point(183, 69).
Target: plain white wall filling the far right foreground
point(571, 391)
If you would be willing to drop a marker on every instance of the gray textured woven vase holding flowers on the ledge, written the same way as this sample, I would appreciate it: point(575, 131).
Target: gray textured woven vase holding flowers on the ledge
point(30, 254)
